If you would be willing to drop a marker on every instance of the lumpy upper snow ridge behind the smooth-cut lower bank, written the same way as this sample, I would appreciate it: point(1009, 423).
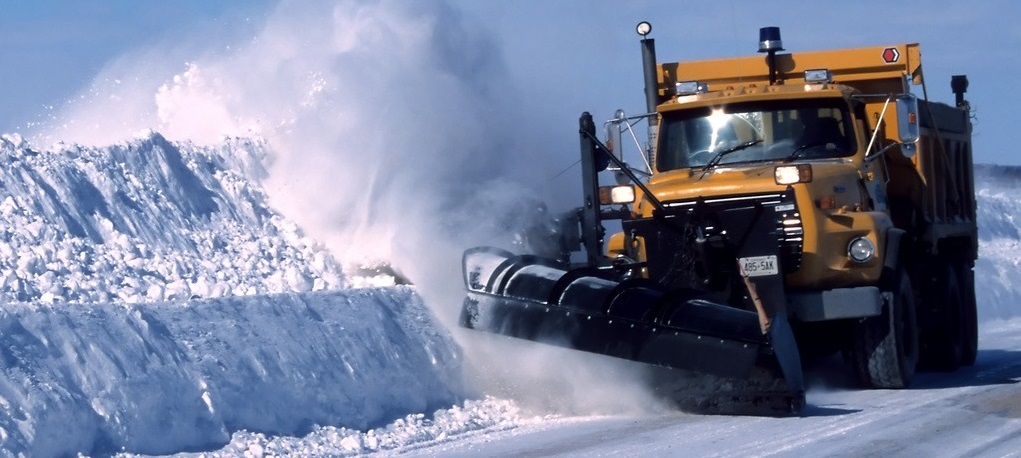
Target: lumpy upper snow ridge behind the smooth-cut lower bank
point(148, 221)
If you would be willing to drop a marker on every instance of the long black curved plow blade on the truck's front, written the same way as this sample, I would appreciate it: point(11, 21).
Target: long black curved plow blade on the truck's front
point(705, 357)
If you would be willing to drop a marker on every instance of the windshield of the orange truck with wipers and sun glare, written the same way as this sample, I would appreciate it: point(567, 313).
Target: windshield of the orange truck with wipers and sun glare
point(774, 131)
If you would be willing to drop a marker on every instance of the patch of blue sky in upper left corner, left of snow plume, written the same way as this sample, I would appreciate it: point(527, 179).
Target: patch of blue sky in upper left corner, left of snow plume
point(53, 49)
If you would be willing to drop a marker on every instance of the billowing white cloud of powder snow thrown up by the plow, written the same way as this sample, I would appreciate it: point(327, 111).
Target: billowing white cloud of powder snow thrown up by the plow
point(395, 128)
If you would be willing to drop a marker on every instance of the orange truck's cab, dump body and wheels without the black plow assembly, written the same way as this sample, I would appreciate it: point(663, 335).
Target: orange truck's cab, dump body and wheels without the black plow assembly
point(881, 251)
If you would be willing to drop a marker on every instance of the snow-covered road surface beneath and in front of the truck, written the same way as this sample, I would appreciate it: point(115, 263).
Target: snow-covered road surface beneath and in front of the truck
point(974, 413)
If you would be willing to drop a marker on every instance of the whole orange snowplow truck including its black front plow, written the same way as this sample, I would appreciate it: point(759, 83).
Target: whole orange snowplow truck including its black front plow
point(812, 190)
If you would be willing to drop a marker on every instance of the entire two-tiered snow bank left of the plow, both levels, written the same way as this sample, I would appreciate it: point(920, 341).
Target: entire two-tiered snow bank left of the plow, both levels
point(154, 302)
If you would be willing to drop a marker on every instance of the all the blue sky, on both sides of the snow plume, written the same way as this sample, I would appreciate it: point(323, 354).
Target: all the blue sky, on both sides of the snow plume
point(564, 57)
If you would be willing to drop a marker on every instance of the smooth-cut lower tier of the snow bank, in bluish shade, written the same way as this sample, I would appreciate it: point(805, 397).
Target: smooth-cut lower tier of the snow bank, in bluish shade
point(166, 378)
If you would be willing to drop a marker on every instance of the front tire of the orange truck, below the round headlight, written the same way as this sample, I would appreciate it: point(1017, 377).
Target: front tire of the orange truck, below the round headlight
point(885, 352)
